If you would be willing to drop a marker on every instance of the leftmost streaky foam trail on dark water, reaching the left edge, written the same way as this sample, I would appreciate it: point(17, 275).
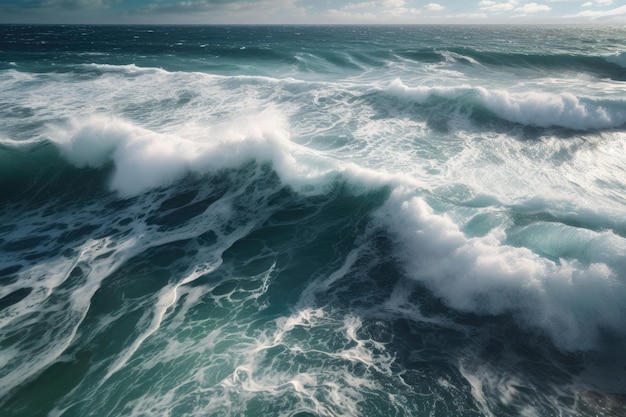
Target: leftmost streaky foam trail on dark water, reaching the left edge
point(65, 306)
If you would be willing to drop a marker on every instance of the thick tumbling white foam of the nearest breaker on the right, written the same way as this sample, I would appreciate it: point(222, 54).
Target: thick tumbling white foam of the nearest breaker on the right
point(570, 301)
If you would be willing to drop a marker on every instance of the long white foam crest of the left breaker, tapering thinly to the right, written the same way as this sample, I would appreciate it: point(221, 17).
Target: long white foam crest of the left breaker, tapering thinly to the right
point(144, 159)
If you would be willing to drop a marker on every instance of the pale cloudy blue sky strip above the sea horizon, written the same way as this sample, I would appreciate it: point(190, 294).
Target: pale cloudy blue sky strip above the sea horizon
point(313, 11)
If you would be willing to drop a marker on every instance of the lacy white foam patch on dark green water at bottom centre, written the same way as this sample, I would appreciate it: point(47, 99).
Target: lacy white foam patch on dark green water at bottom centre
point(322, 391)
